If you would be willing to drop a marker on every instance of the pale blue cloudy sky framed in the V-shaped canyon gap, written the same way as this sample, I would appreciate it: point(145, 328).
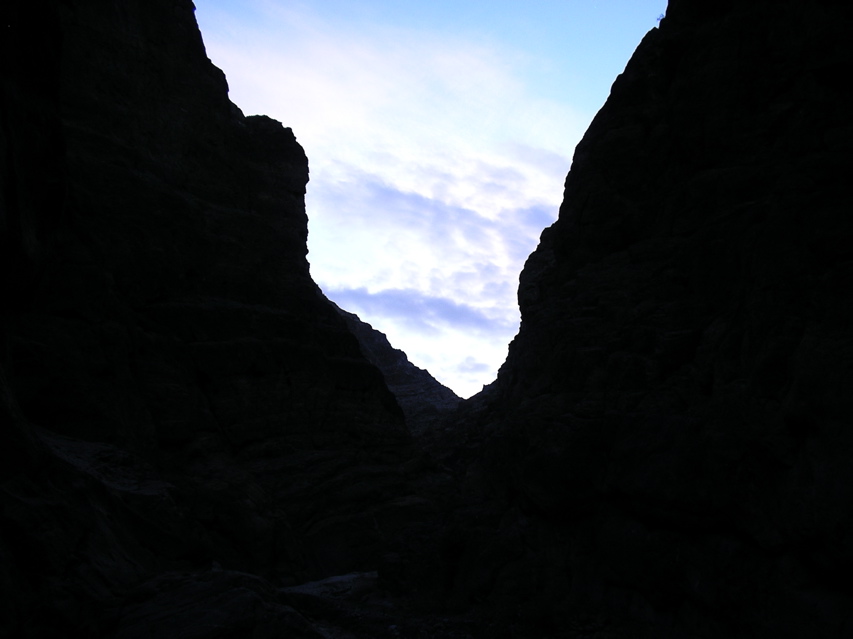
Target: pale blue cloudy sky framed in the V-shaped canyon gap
point(438, 135)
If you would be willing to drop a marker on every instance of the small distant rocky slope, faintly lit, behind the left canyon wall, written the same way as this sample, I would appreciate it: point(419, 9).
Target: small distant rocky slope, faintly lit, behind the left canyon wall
point(424, 400)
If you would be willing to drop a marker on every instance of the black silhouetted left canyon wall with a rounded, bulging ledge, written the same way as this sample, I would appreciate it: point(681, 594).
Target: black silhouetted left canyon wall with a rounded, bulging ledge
point(177, 392)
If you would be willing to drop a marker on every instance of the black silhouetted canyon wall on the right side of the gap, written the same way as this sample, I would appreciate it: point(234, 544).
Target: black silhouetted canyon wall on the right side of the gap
point(673, 424)
